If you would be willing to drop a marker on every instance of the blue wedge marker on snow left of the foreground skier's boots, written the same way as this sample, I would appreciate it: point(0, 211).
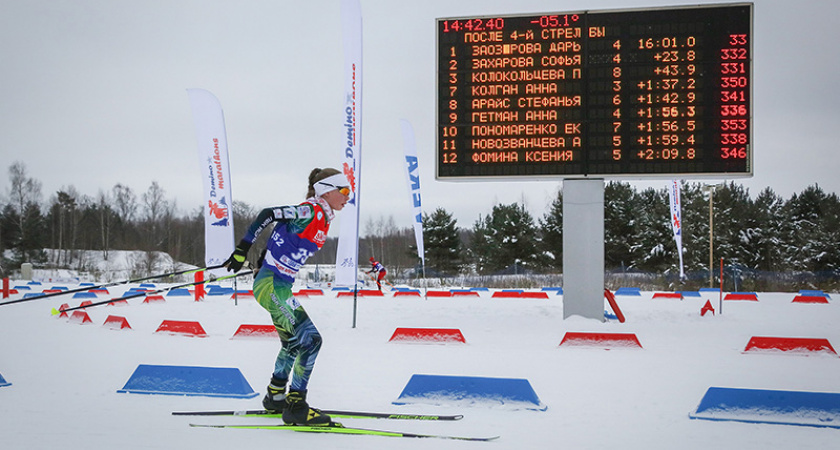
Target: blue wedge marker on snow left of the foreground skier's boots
point(187, 380)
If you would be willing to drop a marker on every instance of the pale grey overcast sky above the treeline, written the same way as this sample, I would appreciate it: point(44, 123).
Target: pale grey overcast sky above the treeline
point(93, 93)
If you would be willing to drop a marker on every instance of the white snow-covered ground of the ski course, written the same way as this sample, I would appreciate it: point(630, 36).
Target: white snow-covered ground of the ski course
point(64, 376)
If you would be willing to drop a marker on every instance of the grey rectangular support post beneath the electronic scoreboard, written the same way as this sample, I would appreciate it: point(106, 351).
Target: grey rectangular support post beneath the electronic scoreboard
point(583, 248)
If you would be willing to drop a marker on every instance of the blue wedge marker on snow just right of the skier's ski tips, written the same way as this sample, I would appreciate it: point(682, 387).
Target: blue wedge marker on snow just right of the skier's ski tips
point(514, 393)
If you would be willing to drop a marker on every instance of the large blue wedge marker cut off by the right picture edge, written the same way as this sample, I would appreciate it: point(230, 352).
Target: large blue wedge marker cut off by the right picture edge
point(803, 408)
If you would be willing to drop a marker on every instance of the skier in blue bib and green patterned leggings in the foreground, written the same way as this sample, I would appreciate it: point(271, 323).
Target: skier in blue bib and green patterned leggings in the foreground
point(300, 232)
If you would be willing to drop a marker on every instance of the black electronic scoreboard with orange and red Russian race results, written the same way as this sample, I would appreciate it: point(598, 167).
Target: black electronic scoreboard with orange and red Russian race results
point(654, 92)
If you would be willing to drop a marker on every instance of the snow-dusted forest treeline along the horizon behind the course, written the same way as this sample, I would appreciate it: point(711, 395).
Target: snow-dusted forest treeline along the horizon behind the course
point(766, 242)
